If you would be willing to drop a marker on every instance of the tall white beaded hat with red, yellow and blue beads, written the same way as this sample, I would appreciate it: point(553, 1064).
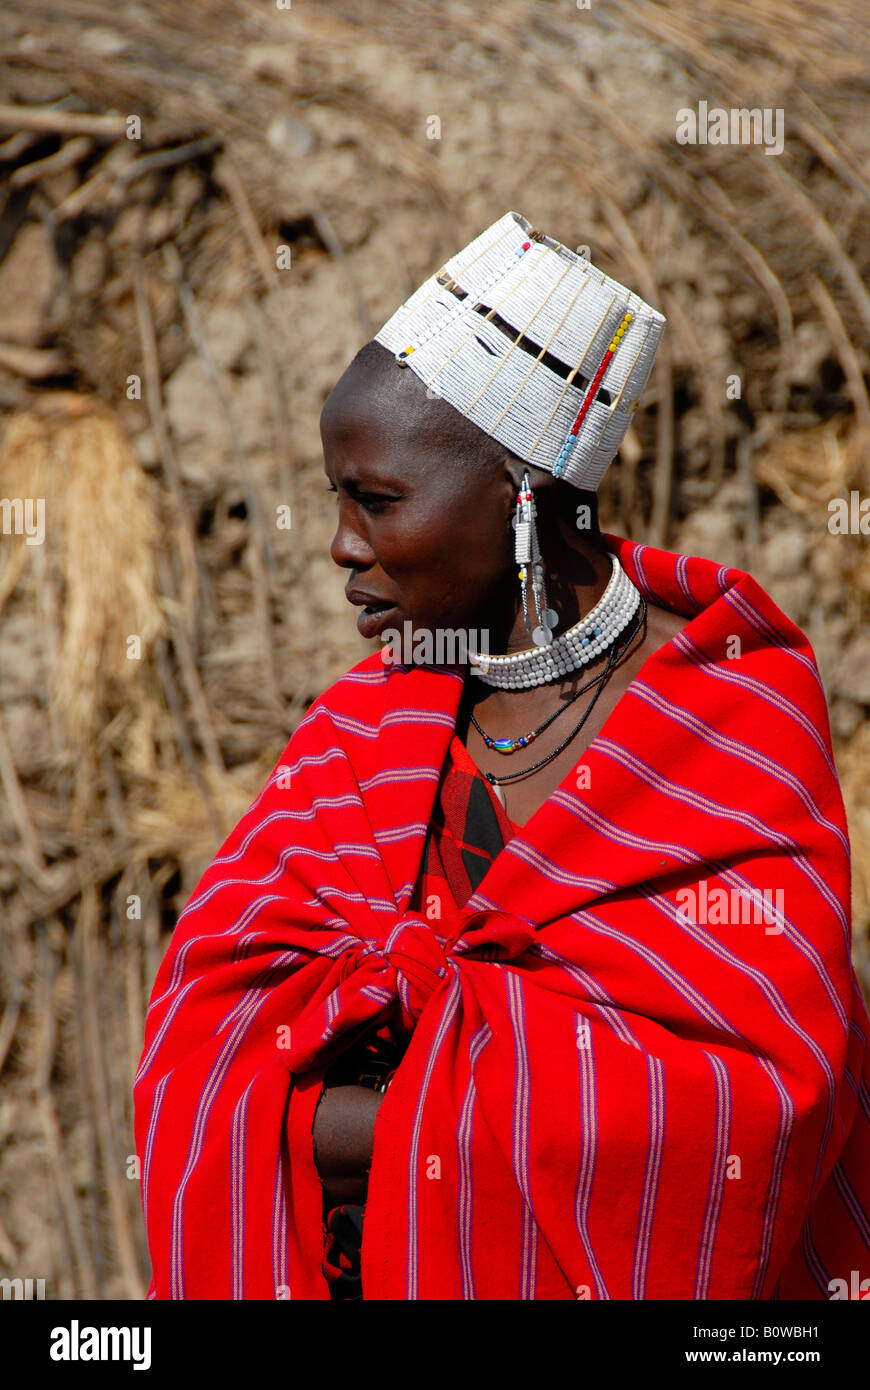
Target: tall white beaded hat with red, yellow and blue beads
point(534, 345)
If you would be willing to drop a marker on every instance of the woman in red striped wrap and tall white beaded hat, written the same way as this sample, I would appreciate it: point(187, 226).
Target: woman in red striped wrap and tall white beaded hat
point(530, 965)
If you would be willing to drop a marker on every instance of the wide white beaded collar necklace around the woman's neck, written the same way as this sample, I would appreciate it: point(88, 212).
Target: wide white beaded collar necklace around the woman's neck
point(580, 646)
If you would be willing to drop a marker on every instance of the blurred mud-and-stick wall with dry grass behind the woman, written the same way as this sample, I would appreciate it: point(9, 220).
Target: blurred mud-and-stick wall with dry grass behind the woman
point(126, 762)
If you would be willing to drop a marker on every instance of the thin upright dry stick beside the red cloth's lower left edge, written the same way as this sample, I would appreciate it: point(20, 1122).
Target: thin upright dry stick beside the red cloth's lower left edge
point(98, 1092)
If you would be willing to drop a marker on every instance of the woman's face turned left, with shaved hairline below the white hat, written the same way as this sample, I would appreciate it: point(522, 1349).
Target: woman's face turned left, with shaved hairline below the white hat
point(423, 525)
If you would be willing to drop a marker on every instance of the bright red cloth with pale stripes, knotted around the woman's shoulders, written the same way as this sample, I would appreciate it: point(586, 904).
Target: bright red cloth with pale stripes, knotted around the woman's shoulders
point(601, 1097)
